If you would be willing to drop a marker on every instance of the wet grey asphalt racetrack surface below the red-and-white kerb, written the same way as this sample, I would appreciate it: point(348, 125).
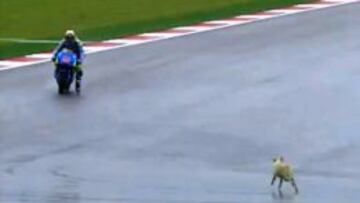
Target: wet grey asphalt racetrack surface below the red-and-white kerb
point(194, 119)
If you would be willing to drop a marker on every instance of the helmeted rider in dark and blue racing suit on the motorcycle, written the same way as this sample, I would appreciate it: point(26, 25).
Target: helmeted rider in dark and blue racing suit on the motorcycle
point(72, 43)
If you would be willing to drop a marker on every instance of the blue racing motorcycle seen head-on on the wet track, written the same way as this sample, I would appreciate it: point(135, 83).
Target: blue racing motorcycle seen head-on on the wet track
point(65, 62)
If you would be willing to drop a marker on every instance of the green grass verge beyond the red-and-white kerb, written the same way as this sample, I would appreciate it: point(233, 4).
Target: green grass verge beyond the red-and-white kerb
point(105, 19)
